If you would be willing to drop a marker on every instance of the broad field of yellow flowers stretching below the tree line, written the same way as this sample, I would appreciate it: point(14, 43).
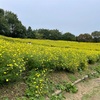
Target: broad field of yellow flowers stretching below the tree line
point(19, 55)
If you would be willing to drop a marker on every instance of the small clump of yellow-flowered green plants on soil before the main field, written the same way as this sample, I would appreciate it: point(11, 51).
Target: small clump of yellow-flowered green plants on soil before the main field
point(36, 82)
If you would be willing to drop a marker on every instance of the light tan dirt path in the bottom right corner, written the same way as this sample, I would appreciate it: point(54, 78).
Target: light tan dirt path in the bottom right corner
point(85, 88)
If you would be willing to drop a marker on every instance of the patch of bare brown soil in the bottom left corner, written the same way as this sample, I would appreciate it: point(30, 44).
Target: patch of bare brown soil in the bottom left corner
point(12, 91)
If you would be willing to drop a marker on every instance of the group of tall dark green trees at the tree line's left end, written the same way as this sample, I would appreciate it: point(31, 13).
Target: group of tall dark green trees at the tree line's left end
point(10, 25)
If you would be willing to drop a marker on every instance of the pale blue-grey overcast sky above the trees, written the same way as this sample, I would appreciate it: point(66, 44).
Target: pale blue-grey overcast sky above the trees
point(75, 16)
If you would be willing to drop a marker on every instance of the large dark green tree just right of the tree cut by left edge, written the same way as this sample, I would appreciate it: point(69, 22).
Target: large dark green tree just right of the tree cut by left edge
point(16, 27)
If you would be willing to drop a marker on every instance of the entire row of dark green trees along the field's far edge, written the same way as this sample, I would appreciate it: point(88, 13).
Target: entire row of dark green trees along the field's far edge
point(11, 26)
